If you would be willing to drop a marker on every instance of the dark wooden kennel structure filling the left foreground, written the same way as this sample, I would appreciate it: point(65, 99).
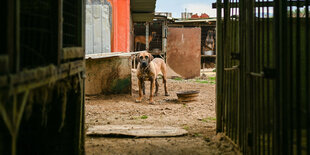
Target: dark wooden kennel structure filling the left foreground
point(42, 77)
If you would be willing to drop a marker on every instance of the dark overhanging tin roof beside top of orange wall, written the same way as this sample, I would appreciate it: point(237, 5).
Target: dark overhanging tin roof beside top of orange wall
point(142, 10)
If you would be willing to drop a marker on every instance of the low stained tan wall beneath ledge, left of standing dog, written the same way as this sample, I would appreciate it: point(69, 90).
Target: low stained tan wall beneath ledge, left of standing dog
point(108, 76)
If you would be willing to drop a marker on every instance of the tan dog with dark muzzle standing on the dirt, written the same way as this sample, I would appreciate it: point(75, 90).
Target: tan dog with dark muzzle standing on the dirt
point(148, 70)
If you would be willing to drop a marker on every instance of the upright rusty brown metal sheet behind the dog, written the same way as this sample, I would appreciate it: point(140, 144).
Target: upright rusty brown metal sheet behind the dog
point(183, 52)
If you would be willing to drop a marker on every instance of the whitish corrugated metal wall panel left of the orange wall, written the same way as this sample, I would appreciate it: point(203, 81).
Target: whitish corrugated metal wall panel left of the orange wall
point(98, 27)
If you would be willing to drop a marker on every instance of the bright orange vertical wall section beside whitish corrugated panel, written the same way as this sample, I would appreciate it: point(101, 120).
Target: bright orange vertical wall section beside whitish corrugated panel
point(120, 25)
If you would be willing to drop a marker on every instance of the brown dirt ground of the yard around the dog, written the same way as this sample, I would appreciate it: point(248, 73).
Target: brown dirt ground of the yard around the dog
point(197, 117)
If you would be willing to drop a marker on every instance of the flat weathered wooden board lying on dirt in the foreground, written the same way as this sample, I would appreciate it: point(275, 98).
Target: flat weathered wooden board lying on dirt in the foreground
point(135, 131)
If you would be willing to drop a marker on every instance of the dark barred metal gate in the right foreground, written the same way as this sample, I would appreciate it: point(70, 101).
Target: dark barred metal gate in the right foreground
point(263, 57)
